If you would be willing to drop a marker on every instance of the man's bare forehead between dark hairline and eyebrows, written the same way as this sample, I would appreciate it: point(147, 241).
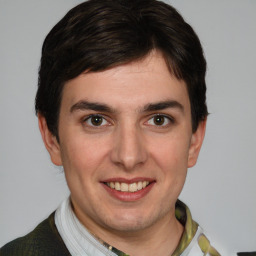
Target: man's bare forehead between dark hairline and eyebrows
point(131, 85)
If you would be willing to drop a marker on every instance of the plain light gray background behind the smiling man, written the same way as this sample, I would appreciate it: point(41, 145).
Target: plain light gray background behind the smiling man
point(220, 190)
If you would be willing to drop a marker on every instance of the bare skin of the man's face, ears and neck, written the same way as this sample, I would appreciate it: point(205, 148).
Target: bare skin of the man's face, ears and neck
point(127, 144)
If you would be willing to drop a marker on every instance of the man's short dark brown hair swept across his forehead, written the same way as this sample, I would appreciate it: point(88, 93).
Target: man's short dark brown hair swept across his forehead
point(100, 34)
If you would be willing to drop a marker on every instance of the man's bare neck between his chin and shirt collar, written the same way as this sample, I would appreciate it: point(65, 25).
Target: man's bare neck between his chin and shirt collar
point(161, 238)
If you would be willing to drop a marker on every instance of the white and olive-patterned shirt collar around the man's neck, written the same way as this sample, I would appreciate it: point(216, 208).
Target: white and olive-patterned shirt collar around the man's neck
point(80, 241)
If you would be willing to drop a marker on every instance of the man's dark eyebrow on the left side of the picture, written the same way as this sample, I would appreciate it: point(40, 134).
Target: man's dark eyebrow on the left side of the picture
point(86, 105)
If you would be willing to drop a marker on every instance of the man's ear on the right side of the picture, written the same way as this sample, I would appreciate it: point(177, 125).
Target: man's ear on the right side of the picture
point(196, 143)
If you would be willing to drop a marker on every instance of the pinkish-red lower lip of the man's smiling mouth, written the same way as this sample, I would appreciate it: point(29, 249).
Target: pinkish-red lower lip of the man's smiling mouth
point(129, 196)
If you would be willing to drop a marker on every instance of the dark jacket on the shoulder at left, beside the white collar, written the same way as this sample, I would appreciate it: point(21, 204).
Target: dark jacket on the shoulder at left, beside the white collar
point(44, 240)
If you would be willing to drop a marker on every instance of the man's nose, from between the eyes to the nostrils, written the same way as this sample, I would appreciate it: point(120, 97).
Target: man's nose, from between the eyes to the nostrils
point(129, 148)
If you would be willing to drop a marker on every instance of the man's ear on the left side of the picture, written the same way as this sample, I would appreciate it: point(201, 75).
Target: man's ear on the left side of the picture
point(50, 141)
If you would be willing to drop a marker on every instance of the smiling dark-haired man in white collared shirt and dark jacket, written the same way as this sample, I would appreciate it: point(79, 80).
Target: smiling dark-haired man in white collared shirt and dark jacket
point(121, 106)
